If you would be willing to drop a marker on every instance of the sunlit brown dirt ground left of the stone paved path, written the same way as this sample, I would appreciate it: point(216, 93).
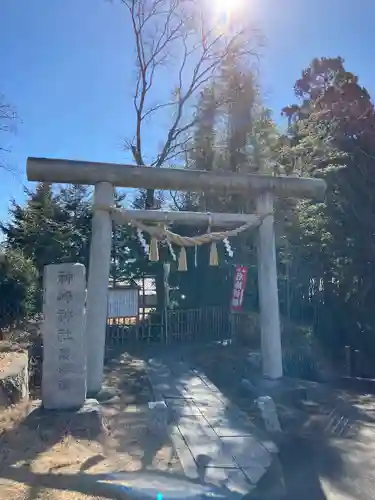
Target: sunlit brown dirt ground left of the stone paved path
point(46, 463)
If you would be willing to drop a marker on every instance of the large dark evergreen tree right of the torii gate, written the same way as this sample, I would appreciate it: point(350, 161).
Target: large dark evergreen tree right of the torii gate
point(331, 133)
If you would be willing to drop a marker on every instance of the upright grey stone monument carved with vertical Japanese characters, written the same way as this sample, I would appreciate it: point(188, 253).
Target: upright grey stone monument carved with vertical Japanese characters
point(64, 360)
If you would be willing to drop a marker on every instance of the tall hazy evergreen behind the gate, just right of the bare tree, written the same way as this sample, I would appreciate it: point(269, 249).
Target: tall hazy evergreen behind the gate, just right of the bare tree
point(233, 132)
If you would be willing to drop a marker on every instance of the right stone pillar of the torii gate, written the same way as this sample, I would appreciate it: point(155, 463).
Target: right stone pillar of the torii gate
point(272, 365)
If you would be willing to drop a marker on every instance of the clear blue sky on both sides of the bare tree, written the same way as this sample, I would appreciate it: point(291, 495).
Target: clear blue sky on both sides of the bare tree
point(66, 65)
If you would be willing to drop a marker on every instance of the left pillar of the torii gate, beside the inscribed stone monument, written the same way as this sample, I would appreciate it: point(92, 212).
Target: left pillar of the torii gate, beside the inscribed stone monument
point(97, 287)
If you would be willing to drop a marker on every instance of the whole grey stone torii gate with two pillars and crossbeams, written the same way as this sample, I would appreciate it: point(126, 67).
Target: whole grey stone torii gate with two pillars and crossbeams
point(105, 177)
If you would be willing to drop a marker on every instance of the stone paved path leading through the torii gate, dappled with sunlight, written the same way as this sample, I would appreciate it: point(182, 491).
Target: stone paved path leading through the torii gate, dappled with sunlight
point(215, 441)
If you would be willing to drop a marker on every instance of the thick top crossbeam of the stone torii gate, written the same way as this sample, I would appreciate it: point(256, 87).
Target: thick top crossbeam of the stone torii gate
point(130, 176)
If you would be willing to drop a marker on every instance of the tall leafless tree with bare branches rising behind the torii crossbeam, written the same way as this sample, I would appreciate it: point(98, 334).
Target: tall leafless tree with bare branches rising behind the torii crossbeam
point(176, 46)
